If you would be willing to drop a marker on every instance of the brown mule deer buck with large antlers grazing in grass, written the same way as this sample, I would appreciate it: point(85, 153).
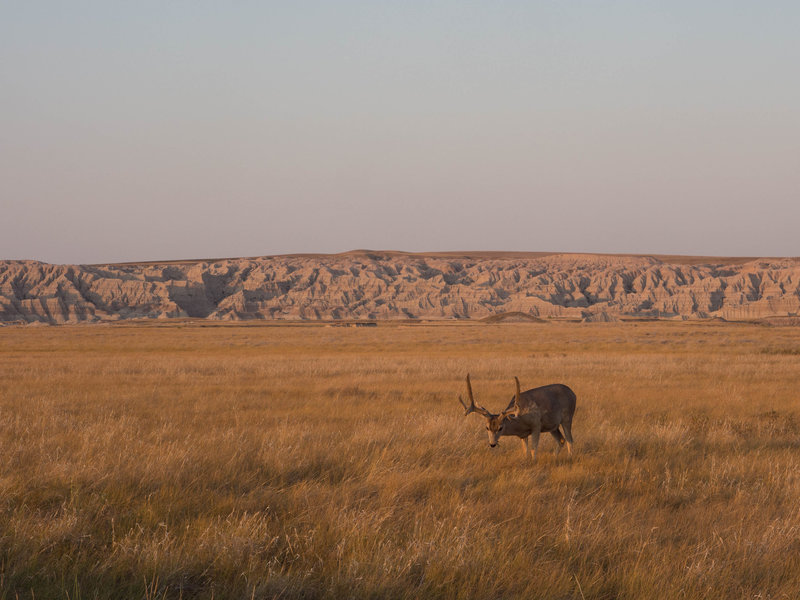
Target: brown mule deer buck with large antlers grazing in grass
point(530, 413)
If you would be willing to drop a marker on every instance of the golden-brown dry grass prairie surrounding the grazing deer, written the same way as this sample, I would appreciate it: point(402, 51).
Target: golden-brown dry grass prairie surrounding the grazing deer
point(186, 460)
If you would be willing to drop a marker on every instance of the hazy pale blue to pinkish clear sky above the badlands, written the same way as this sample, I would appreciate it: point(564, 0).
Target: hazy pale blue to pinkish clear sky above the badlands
point(156, 130)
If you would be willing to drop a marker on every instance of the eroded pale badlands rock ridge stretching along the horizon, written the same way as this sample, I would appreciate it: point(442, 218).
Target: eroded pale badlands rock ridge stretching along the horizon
point(392, 285)
